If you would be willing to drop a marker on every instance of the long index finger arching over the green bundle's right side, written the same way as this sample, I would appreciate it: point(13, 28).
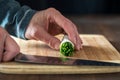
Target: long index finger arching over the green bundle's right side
point(69, 28)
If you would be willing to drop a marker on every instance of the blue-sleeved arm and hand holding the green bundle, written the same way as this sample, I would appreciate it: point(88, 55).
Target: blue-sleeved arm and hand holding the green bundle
point(42, 25)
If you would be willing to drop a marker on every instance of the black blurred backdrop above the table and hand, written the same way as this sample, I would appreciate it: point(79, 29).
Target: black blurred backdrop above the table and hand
point(76, 6)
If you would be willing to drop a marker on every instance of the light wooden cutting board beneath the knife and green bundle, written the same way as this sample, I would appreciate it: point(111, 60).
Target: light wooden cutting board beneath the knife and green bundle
point(95, 47)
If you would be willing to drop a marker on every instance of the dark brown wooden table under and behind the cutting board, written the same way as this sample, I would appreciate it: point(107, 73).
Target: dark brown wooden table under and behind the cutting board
point(109, 26)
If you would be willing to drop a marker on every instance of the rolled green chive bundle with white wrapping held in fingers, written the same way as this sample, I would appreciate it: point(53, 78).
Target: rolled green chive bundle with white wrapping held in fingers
point(66, 47)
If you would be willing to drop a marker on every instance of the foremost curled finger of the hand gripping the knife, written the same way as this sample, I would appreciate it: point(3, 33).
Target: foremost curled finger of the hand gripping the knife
point(11, 49)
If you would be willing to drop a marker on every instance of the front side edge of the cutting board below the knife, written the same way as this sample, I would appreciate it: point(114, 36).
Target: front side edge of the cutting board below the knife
point(21, 68)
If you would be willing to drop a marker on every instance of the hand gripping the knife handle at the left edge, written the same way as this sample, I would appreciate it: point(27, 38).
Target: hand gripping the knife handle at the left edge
point(8, 47)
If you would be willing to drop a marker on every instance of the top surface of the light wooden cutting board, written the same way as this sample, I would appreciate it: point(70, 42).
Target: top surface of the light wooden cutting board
point(95, 47)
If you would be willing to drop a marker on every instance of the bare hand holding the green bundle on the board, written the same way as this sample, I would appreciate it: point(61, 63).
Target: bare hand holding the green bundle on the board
point(47, 23)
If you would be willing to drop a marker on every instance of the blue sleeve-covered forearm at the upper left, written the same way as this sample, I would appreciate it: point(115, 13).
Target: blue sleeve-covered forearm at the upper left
point(15, 18)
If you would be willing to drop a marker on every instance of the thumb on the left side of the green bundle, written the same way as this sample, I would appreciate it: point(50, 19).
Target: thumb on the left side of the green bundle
point(52, 41)
